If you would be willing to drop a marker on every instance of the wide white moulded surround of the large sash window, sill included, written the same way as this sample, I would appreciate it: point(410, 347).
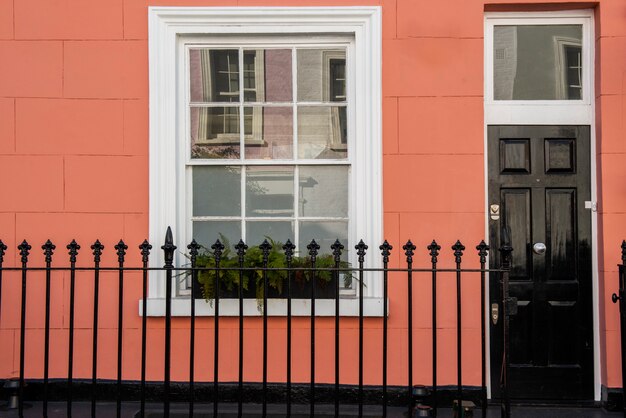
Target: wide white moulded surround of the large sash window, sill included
point(167, 25)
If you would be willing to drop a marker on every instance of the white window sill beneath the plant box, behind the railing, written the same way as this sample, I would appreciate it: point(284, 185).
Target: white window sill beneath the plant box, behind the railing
point(349, 307)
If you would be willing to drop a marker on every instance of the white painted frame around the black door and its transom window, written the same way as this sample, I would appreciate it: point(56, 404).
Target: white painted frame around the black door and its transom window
point(544, 112)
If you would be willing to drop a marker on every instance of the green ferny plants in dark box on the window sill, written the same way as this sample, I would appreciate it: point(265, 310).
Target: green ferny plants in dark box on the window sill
point(252, 277)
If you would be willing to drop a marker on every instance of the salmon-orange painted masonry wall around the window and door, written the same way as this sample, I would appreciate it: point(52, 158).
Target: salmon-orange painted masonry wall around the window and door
point(74, 158)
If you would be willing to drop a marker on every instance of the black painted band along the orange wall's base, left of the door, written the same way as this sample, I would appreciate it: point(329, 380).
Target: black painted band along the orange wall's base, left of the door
point(106, 390)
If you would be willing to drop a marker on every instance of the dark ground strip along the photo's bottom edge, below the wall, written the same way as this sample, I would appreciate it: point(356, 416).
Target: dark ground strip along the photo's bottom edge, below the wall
point(202, 410)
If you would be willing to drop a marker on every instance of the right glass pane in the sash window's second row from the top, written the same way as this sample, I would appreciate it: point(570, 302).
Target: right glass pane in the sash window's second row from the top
point(322, 132)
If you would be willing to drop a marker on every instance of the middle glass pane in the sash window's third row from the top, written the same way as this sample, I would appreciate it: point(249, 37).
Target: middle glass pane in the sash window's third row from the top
point(269, 191)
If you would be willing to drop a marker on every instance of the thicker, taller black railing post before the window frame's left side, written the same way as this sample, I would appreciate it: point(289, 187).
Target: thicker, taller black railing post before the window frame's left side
point(168, 251)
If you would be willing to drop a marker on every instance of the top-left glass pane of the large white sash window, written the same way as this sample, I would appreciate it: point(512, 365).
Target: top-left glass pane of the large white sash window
point(214, 75)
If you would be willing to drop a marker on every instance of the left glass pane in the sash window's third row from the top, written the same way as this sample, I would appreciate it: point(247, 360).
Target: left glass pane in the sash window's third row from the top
point(216, 191)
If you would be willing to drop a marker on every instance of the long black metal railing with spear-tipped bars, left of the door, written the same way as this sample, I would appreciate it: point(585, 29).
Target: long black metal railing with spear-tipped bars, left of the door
point(407, 395)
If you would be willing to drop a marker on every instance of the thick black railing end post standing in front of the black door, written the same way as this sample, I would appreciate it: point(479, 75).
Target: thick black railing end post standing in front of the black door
point(505, 251)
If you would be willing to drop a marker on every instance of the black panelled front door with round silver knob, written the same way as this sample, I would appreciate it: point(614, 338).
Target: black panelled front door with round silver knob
point(539, 182)
